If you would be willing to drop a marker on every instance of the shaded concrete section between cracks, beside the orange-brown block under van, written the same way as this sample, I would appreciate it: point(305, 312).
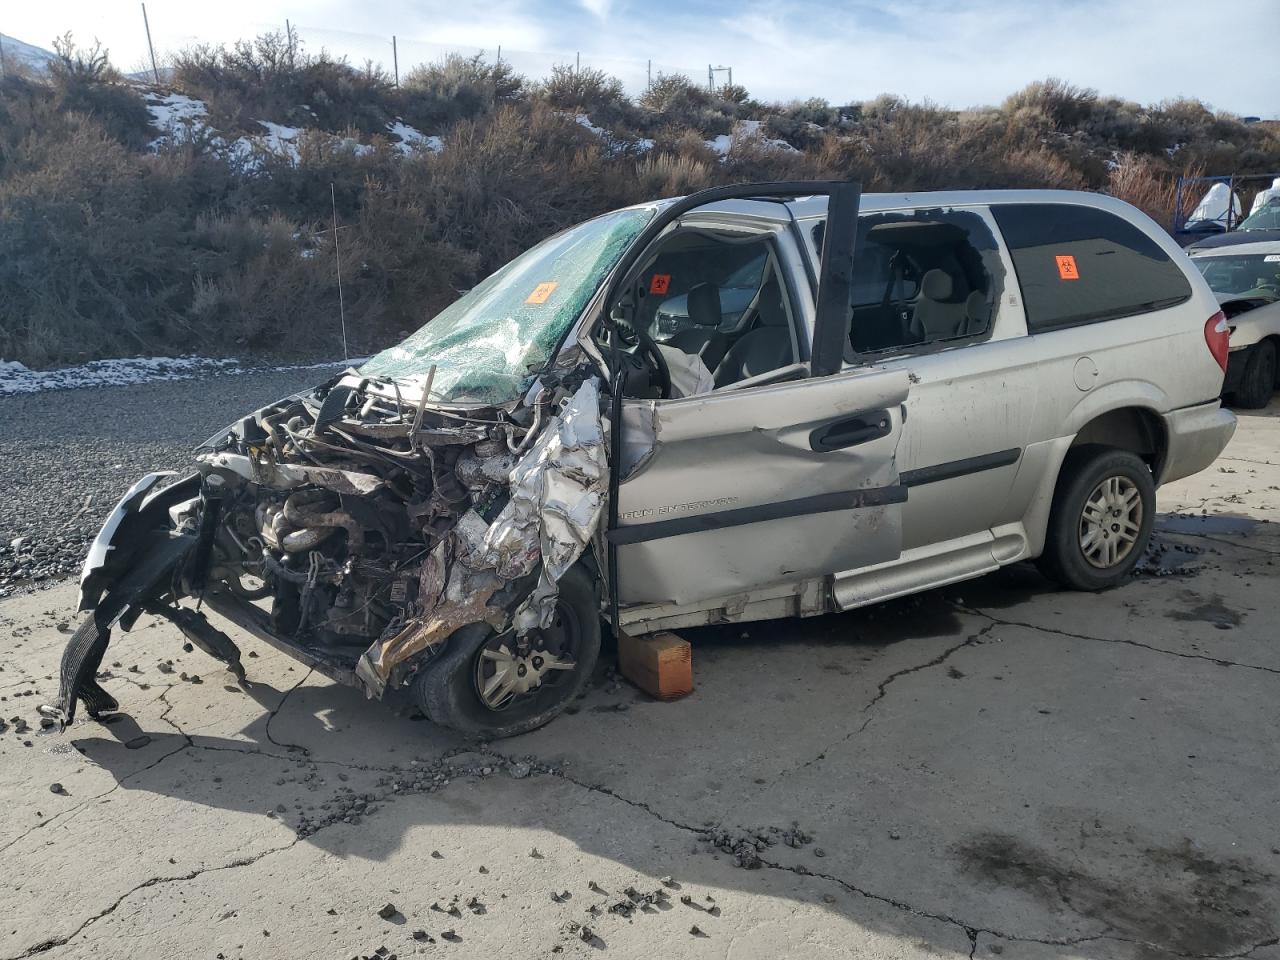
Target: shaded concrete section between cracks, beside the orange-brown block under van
point(753, 715)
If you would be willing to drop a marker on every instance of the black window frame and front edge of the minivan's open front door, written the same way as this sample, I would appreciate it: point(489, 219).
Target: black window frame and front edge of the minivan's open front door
point(831, 322)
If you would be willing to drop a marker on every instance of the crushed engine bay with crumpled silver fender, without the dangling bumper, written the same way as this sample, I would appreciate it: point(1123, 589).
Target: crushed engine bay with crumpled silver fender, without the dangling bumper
point(373, 528)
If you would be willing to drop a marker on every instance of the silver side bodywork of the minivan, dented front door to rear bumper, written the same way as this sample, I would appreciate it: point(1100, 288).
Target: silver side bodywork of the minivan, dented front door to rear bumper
point(1012, 404)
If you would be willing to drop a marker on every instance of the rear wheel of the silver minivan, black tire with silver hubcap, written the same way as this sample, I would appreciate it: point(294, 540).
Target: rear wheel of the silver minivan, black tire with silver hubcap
point(1099, 550)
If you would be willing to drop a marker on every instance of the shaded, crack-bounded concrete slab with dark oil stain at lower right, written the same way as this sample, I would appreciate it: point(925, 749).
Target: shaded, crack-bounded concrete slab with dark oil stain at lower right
point(1060, 788)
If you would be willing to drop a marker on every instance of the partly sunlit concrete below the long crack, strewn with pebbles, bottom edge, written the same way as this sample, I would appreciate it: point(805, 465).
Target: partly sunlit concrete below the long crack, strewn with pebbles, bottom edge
point(280, 904)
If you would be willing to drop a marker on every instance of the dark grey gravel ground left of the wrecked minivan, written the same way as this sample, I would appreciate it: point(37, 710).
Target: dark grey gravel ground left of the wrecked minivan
point(67, 458)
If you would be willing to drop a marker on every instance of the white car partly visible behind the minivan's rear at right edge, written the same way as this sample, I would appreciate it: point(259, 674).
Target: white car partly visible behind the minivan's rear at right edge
point(1246, 278)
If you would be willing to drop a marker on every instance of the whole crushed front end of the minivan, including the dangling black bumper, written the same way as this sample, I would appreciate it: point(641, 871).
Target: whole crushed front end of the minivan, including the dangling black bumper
point(359, 531)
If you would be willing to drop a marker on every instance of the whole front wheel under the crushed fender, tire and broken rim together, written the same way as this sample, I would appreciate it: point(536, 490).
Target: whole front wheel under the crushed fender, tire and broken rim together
point(484, 685)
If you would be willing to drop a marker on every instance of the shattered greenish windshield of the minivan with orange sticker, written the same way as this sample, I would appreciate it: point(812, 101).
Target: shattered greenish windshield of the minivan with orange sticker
point(488, 345)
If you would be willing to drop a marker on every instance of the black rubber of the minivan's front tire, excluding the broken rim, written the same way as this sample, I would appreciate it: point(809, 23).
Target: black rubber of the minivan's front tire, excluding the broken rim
point(450, 689)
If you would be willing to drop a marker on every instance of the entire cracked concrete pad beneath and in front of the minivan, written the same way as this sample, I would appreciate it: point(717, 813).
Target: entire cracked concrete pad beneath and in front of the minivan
point(991, 770)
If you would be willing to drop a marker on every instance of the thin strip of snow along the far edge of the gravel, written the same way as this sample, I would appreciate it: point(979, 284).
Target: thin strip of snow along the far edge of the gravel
point(16, 378)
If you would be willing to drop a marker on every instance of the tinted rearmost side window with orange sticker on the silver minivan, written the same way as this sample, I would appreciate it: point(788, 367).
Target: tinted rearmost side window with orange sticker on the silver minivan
point(1080, 266)
